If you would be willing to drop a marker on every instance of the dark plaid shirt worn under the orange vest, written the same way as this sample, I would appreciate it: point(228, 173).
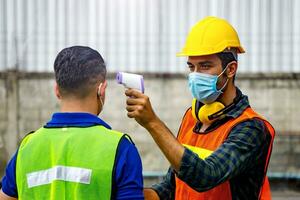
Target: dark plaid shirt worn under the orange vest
point(240, 160)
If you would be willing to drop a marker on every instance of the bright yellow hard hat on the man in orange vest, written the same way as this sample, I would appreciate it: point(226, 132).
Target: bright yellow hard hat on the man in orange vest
point(209, 36)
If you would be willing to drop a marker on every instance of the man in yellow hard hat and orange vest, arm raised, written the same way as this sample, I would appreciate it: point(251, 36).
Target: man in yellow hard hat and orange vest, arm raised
point(223, 146)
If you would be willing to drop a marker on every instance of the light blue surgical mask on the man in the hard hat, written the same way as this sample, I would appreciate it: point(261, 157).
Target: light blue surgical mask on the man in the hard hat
point(204, 86)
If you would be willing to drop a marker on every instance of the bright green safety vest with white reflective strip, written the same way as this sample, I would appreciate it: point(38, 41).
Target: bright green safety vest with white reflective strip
point(67, 163)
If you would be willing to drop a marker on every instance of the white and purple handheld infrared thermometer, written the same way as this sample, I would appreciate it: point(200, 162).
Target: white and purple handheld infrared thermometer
point(134, 81)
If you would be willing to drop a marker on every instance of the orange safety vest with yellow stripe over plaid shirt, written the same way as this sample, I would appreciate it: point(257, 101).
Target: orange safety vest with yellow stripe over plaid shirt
point(205, 144)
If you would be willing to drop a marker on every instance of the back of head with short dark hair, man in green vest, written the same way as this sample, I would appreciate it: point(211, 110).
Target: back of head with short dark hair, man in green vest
point(78, 70)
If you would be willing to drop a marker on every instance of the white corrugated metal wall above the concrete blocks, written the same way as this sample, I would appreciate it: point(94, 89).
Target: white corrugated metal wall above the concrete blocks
point(144, 35)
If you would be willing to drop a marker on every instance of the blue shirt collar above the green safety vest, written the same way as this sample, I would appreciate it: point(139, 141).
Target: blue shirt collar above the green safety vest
point(75, 119)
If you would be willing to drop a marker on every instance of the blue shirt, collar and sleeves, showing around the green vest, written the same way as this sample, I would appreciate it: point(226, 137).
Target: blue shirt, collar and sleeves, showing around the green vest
point(128, 179)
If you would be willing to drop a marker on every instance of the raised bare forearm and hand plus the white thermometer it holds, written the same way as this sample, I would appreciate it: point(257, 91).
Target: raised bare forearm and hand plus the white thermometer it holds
point(139, 108)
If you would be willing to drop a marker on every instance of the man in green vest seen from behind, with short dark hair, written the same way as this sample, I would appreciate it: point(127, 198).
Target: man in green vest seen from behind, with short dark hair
point(76, 155)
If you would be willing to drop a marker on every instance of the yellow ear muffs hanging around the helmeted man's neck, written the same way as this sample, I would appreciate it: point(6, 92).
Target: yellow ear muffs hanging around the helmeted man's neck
point(202, 113)
